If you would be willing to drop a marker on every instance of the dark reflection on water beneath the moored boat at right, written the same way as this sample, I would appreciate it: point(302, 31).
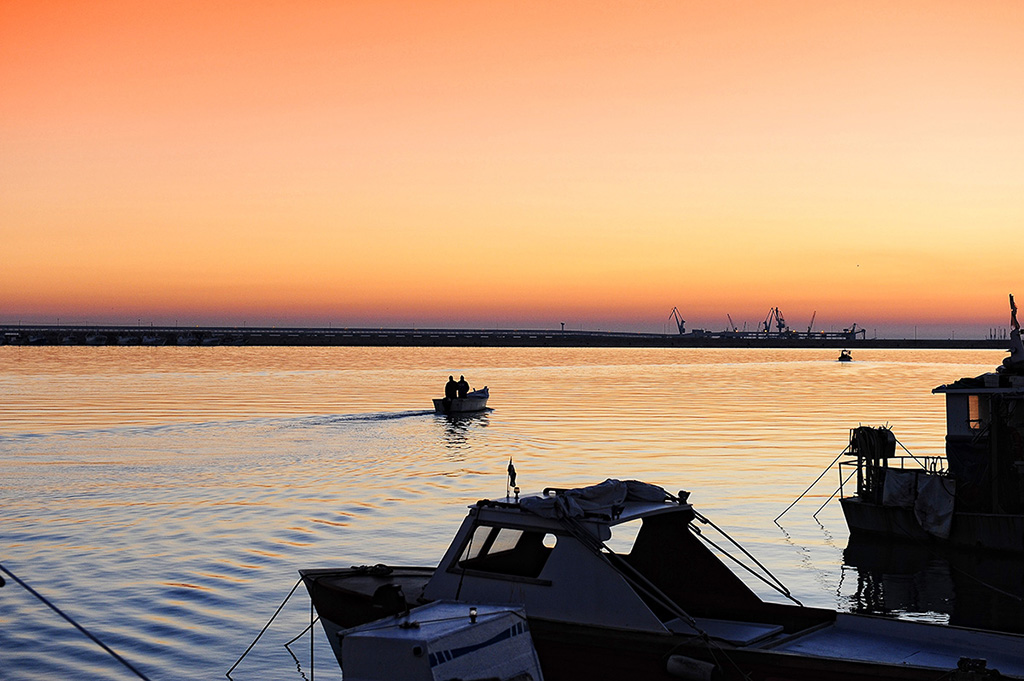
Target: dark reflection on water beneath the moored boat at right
point(964, 588)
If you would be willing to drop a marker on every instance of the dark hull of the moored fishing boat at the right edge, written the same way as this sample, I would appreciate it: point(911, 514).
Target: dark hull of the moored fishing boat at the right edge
point(975, 531)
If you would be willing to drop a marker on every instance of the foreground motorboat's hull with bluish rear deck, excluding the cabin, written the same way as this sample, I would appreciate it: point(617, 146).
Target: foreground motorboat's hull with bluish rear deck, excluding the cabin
point(847, 649)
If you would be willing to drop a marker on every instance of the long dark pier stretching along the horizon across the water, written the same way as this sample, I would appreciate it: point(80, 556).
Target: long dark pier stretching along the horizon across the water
point(214, 336)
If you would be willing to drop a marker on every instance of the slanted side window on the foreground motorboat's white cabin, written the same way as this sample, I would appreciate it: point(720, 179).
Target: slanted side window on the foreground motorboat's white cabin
point(507, 551)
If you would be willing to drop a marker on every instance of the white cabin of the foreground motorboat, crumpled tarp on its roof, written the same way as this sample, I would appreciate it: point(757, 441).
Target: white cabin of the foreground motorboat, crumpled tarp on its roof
point(604, 557)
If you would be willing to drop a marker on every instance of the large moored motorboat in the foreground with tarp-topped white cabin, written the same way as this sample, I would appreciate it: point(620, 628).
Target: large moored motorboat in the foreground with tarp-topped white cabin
point(663, 607)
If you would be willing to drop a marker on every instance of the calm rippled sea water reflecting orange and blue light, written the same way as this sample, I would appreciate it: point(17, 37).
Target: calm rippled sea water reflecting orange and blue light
point(165, 498)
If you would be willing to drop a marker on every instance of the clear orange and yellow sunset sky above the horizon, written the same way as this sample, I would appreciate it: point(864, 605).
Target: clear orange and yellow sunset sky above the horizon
point(514, 164)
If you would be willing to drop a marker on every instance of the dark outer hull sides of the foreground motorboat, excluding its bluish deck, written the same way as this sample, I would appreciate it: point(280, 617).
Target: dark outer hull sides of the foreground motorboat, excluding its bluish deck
point(347, 599)
